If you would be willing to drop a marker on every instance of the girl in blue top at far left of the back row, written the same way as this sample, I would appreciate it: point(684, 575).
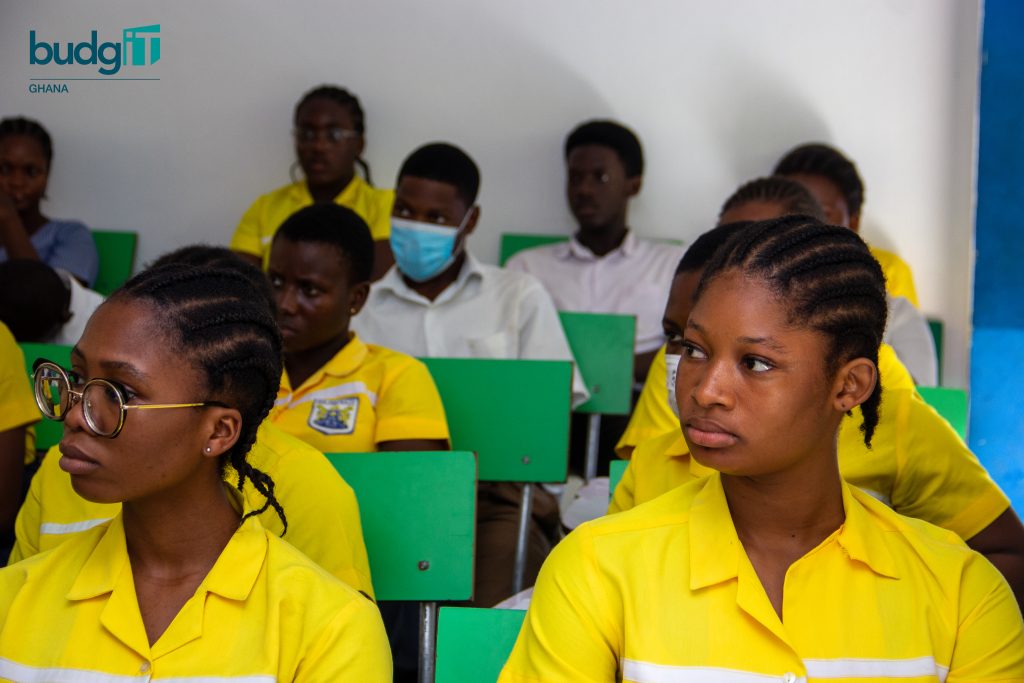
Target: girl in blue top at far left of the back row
point(26, 155)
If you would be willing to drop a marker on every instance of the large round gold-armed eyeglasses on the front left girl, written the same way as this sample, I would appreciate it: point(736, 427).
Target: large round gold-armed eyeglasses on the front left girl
point(104, 402)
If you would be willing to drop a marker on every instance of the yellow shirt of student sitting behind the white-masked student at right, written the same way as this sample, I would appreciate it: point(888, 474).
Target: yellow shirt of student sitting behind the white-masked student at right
point(652, 416)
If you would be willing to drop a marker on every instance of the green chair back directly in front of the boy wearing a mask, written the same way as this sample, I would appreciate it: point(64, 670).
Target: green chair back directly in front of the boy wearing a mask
point(514, 414)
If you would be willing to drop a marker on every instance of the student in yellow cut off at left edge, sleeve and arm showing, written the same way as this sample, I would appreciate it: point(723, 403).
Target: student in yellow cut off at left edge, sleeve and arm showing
point(18, 414)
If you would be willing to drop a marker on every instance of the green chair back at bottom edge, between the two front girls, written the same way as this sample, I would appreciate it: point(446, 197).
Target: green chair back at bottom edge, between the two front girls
point(474, 645)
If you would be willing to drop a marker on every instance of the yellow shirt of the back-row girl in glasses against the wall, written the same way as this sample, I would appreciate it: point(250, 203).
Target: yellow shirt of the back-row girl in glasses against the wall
point(261, 223)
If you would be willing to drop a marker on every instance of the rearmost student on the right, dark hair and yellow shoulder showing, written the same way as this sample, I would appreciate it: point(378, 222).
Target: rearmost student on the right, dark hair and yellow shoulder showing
point(837, 186)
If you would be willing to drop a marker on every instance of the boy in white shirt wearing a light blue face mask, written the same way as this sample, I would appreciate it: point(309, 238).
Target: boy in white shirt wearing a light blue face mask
point(439, 301)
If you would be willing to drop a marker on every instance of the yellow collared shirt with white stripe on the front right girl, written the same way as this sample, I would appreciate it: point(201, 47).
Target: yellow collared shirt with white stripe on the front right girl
point(666, 592)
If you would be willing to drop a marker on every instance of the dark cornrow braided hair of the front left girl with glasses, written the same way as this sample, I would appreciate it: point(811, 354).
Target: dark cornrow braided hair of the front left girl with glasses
point(225, 328)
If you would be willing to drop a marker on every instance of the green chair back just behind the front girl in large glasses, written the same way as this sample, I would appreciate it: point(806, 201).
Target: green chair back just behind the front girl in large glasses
point(419, 521)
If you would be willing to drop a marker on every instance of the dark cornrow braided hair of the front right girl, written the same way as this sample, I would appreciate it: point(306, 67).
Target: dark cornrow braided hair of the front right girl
point(828, 279)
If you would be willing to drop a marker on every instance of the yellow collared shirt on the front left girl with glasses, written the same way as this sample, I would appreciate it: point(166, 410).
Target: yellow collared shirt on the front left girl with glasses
point(265, 613)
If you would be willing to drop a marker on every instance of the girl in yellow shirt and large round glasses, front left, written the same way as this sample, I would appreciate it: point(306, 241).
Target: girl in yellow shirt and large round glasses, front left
point(168, 386)
